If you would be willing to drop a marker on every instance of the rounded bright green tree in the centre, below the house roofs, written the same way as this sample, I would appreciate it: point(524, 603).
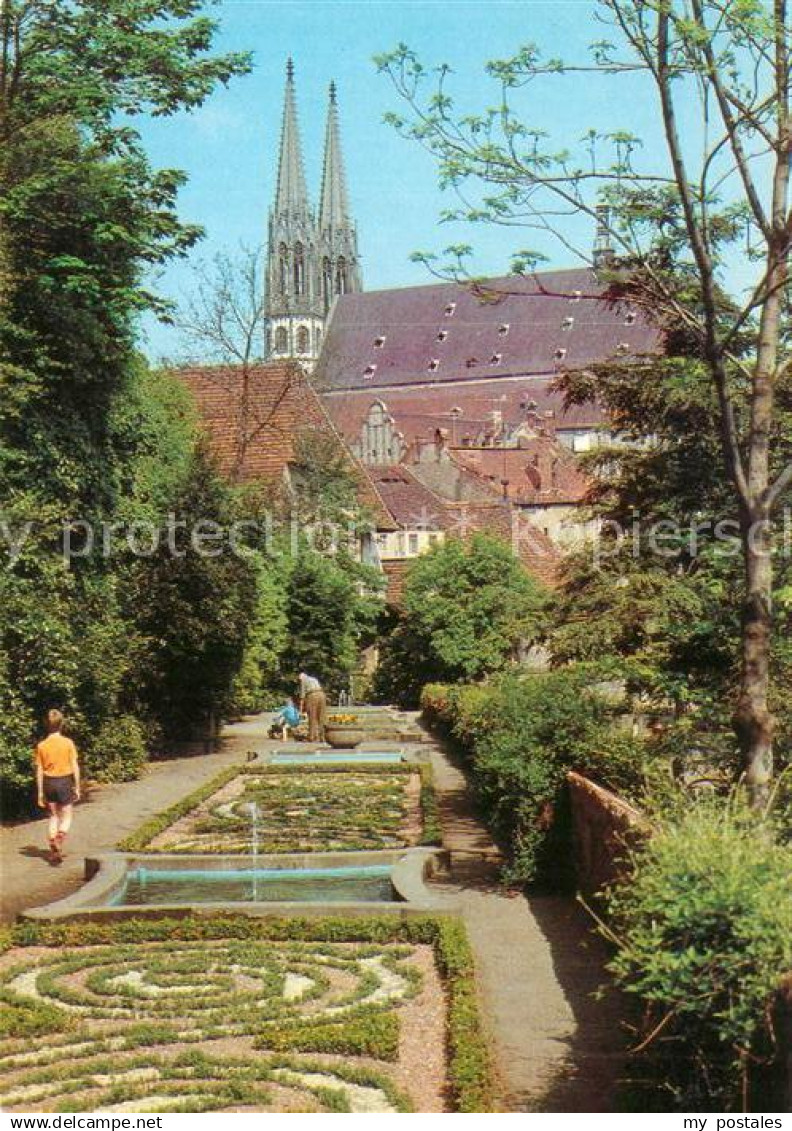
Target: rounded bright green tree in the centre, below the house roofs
point(470, 607)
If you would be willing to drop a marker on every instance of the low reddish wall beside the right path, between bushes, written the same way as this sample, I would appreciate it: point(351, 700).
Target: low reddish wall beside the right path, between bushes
point(604, 830)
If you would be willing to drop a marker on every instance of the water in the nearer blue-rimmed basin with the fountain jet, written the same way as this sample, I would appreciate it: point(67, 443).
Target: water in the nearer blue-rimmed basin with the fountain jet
point(147, 887)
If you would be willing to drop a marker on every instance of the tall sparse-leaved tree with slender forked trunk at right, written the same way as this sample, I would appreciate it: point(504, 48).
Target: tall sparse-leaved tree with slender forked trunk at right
point(677, 214)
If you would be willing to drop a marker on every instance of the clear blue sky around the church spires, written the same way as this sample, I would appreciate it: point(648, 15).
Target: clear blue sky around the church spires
point(229, 148)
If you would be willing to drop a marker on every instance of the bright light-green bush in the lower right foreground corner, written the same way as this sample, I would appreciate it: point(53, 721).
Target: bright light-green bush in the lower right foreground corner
point(705, 934)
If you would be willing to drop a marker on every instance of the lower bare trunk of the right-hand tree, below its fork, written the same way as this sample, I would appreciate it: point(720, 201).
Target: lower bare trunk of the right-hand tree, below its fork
point(753, 720)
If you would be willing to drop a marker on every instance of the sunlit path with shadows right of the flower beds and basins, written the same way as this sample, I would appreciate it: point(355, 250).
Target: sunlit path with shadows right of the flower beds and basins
point(557, 1049)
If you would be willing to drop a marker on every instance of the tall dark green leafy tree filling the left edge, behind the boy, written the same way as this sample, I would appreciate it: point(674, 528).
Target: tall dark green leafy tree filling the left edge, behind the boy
point(83, 220)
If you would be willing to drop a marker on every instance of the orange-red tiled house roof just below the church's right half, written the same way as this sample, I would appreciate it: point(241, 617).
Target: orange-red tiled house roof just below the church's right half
point(541, 471)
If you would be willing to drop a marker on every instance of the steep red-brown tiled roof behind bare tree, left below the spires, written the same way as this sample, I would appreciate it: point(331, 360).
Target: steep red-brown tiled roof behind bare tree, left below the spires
point(254, 433)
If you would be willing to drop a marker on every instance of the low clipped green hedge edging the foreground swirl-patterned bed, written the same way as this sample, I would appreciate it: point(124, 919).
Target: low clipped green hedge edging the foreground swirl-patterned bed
point(470, 1069)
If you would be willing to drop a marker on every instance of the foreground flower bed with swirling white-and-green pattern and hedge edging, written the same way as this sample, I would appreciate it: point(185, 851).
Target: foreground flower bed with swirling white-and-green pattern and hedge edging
point(240, 1016)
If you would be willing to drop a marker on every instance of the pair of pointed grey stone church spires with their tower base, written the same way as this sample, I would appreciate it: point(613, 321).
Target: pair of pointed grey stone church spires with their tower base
point(312, 258)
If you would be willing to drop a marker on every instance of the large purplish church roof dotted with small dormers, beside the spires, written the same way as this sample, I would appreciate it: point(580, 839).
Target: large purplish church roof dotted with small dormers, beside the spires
point(520, 326)
